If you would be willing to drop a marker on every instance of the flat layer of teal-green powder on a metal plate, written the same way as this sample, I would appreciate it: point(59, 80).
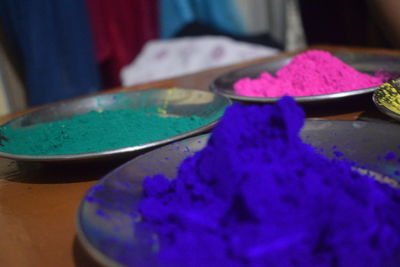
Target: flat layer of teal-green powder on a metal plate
point(96, 131)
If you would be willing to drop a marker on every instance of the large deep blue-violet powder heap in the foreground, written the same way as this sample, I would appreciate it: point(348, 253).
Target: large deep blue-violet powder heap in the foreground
point(256, 195)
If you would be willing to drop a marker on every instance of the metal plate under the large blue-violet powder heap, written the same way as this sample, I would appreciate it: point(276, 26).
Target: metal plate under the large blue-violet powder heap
point(106, 217)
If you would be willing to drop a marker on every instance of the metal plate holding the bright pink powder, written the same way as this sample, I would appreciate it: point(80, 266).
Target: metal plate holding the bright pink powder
point(367, 63)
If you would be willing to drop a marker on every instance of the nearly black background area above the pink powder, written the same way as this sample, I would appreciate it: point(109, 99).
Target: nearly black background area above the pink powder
point(342, 22)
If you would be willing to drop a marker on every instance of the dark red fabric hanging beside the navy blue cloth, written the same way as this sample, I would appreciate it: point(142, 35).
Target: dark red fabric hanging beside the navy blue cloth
point(120, 28)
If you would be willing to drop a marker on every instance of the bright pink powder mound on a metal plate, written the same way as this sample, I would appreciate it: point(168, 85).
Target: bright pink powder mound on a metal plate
point(314, 72)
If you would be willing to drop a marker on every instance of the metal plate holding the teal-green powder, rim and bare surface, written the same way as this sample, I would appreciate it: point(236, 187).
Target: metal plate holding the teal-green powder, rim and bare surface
point(175, 102)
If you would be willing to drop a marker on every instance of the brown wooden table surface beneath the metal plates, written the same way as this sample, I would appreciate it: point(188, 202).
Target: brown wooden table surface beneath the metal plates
point(39, 202)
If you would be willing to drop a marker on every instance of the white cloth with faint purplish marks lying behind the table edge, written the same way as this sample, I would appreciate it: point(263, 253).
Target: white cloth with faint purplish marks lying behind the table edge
point(162, 59)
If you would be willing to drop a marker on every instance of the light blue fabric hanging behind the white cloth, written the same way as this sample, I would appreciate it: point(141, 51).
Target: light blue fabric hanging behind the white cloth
point(221, 14)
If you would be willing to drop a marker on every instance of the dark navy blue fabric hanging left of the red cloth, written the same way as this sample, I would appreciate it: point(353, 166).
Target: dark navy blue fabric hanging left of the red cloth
point(53, 42)
